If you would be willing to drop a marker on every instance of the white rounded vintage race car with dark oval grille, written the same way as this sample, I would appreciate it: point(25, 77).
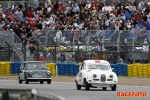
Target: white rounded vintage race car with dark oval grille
point(96, 74)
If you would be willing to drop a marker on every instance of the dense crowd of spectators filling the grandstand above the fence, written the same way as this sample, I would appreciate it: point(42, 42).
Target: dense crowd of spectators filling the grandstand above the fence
point(23, 19)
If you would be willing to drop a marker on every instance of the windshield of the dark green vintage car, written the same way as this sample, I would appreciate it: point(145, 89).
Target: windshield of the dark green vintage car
point(36, 66)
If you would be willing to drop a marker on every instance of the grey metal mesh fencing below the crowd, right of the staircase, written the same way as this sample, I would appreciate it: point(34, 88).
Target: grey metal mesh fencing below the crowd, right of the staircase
point(95, 42)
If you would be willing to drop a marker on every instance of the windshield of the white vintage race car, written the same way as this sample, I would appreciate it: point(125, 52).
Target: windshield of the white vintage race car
point(98, 66)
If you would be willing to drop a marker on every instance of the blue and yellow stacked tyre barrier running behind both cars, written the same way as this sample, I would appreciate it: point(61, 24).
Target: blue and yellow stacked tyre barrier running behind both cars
point(71, 69)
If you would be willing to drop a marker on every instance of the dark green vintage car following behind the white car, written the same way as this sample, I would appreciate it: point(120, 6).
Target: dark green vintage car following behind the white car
point(34, 71)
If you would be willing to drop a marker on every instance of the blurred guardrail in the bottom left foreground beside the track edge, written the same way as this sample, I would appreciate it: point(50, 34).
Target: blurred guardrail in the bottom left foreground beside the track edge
point(25, 94)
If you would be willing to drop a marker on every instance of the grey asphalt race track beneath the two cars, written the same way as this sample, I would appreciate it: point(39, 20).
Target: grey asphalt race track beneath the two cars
point(68, 90)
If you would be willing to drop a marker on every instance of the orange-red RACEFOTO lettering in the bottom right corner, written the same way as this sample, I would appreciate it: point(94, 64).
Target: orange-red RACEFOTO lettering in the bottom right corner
point(131, 94)
